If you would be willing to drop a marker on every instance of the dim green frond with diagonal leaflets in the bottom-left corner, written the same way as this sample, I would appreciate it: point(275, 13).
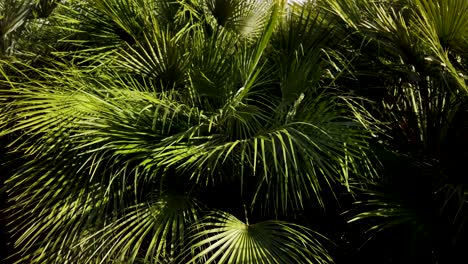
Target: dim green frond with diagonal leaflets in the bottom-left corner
point(44, 230)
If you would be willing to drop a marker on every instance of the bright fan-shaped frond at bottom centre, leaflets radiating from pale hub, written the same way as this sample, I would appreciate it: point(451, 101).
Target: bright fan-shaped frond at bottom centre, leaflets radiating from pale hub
point(222, 238)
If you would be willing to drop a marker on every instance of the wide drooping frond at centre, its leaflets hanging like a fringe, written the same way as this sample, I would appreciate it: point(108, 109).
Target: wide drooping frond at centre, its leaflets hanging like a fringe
point(307, 151)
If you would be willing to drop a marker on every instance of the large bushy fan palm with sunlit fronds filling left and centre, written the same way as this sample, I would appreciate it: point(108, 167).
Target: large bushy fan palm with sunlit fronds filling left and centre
point(163, 112)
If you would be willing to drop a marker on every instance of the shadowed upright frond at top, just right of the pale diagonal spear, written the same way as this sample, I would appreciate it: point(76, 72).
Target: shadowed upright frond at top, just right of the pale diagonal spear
point(297, 48)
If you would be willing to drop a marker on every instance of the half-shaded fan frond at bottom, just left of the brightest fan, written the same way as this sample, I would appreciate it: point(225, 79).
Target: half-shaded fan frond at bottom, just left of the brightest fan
point(155, 231)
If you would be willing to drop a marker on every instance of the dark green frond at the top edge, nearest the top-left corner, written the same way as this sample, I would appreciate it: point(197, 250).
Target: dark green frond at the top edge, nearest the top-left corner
point(97, 28)
